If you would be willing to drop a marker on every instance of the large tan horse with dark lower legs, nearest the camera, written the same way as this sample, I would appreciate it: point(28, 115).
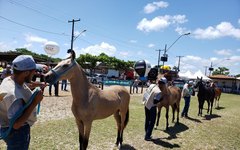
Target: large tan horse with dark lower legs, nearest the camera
point(90, 103)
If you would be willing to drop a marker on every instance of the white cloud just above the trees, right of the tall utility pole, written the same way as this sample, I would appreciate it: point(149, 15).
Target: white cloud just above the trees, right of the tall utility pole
point(98, 49)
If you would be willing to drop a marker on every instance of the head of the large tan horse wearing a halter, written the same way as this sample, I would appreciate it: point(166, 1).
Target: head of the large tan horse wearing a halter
point(63, 70)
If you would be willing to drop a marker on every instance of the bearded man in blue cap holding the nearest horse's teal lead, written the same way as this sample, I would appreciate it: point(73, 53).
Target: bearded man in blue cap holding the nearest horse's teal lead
point(17, 93)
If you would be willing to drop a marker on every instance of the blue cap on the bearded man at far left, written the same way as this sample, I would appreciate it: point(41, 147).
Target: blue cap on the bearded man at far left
point(23, 63)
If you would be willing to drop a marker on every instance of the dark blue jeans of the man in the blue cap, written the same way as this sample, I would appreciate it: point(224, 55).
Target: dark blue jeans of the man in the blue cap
point(18, 139)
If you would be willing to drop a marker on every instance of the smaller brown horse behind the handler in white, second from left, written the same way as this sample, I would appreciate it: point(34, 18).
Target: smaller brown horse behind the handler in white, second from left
point(171, 97)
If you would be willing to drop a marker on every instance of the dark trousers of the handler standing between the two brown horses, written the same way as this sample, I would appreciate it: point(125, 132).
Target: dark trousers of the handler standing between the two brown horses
point(150, 118)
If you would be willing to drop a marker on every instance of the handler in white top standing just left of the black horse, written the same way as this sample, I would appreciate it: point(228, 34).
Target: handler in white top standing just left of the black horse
point(186, 94)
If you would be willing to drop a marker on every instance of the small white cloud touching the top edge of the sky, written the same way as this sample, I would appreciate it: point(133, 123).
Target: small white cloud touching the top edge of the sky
point(151, 7)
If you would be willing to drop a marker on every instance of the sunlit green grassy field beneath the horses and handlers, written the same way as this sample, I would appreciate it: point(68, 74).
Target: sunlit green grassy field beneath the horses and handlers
point(219, 131)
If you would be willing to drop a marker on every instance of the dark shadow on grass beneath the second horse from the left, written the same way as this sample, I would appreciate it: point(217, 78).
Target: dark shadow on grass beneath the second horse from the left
point(173, 131)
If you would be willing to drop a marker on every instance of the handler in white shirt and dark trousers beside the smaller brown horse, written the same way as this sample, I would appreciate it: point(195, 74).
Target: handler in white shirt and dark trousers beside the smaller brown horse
point(151, 97)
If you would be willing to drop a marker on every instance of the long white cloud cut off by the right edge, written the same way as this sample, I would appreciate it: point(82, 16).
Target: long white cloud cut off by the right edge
point(223, 29)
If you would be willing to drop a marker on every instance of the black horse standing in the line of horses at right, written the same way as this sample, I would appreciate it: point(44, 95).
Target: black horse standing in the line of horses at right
point(204, 93)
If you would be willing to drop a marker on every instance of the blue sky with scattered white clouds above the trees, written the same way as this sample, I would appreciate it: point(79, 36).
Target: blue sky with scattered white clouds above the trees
point(129, 30)
